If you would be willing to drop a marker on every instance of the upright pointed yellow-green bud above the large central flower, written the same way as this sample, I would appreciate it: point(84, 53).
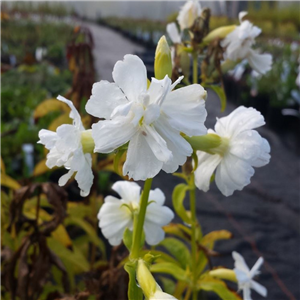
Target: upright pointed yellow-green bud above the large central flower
point(163, 59)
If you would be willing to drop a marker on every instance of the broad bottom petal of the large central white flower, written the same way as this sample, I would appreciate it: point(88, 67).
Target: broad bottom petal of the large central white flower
point(147, 165)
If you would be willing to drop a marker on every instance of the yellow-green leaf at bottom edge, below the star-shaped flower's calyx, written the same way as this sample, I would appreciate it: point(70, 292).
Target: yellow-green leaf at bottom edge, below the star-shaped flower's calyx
point(218, 286)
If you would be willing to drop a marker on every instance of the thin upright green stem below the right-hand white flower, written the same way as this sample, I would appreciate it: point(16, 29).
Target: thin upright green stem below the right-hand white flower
point(193, 229)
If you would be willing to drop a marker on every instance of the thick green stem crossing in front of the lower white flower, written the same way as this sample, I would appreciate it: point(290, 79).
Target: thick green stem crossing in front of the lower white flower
point(139, 223)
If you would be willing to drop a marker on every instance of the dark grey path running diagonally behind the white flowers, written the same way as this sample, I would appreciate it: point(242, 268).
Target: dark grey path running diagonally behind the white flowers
point(264, 217)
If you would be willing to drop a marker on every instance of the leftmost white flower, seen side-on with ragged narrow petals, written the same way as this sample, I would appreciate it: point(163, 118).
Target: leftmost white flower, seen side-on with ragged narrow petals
point(66, 150)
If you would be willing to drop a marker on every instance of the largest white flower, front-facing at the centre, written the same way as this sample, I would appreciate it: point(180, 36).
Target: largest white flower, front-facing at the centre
point(150, 120)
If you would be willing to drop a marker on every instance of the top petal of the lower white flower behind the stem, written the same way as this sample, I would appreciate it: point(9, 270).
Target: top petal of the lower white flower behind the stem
point(129, 191)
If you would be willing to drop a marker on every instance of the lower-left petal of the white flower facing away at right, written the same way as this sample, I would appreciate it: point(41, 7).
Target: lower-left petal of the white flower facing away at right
point(207, 164)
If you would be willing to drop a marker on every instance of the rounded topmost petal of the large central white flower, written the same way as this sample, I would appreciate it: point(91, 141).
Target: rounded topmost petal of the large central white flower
point(131, 76)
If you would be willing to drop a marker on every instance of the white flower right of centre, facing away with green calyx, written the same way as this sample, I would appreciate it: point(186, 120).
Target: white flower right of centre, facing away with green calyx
point(241, 149)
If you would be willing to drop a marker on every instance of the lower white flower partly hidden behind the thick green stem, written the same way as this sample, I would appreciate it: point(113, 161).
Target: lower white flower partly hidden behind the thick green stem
point(116, 215)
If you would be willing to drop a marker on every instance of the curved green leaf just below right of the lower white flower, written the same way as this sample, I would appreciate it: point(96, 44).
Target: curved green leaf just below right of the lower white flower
point(178, 249)
